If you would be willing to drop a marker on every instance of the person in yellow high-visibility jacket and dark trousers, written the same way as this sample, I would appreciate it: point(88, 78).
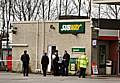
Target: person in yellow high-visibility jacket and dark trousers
point(83, 61)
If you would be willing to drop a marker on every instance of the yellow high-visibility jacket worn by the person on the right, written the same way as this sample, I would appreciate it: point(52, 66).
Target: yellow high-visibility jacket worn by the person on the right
point(83, 61)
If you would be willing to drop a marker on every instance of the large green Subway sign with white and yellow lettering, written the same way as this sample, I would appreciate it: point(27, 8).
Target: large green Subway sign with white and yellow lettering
point(72, 27)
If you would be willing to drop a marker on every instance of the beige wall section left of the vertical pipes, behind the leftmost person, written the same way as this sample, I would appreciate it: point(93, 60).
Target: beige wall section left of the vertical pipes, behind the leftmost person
point(26, 34)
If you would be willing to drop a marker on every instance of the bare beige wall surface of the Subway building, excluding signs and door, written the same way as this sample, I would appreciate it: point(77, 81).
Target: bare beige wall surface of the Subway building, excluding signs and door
point(38, 35)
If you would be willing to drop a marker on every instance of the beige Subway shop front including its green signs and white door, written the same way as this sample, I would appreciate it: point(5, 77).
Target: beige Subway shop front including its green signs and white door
point(49, 36)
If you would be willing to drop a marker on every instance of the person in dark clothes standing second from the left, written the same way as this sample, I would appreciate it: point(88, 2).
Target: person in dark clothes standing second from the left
point(44, 62)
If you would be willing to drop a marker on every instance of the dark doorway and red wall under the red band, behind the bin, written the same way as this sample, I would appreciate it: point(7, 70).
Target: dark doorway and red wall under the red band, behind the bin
point(107, 51)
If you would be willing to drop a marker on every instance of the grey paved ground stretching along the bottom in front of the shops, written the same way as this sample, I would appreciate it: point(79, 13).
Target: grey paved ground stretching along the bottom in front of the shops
point(6, 77)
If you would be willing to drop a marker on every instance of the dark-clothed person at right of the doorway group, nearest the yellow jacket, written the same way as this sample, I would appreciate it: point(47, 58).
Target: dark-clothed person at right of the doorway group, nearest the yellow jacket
point(66, 59)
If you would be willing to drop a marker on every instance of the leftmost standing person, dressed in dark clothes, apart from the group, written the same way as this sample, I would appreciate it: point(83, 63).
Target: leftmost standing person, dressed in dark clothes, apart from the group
point(25, 60)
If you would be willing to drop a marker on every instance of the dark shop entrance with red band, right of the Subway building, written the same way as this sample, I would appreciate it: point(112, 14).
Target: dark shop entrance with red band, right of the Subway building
point(105, 51)
